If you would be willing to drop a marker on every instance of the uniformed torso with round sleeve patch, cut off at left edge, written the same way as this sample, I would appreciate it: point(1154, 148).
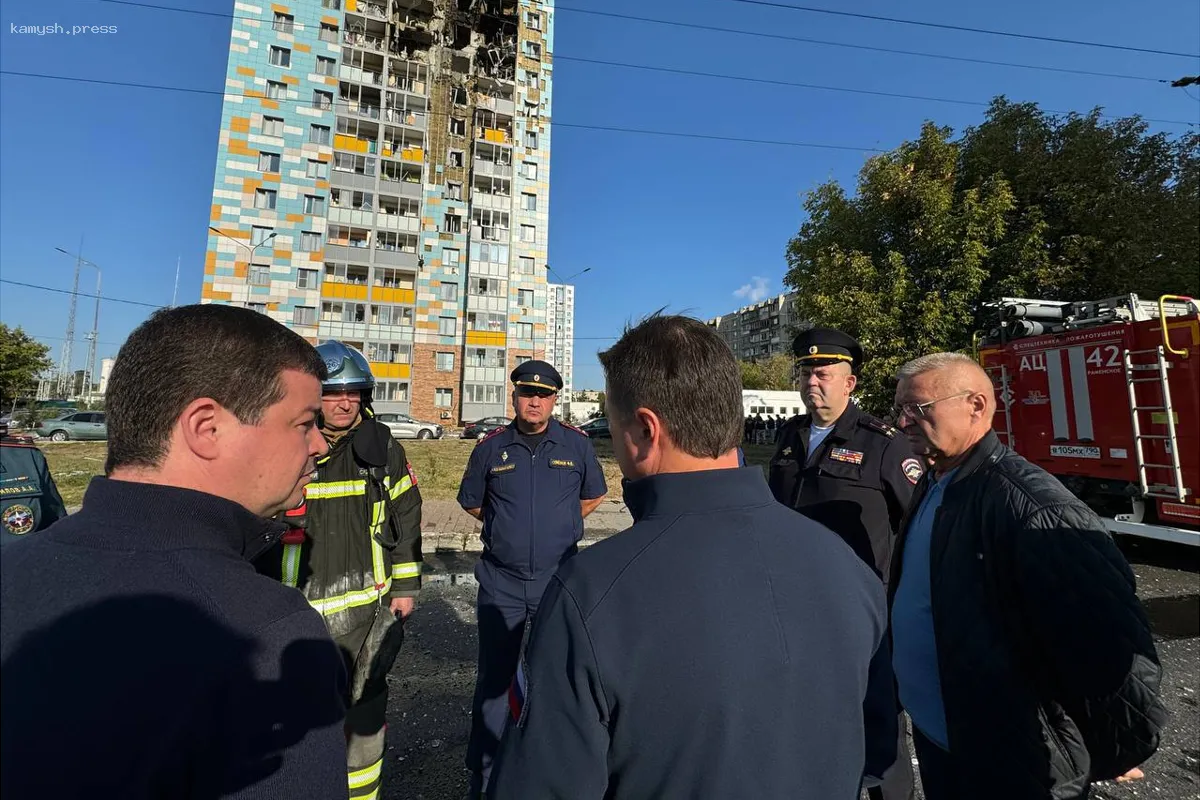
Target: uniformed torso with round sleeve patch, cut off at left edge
point(29, 500)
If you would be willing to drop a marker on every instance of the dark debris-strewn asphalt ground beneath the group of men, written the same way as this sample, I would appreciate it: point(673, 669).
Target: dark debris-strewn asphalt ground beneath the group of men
point(433, 682)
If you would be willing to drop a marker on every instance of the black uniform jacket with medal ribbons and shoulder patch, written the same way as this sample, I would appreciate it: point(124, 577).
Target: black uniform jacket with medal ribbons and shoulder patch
point(859, 483)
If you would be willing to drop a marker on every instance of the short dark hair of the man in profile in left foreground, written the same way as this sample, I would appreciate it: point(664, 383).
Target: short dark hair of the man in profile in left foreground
point(179, 356)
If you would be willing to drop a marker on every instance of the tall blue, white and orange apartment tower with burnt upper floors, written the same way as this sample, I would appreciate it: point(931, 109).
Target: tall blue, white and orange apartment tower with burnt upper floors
point(383, 179)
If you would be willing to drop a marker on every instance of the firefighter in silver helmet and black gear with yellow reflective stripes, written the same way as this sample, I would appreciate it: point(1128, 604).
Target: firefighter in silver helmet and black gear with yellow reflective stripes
point(355, 550)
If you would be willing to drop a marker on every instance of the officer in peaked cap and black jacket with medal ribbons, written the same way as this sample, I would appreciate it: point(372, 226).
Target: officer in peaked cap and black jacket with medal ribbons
point(848, 471)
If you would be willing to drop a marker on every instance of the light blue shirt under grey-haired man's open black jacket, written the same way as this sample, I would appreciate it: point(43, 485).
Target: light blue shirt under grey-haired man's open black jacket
point(915, 647)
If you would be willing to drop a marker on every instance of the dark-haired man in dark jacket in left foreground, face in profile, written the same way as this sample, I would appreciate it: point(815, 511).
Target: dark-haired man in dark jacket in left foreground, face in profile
point(143, 657)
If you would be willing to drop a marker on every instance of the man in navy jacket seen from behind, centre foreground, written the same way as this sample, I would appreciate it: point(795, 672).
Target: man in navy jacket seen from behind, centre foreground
point(723, 647)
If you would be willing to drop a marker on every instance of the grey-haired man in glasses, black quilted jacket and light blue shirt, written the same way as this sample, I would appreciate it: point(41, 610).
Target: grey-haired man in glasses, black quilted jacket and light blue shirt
point(1021, 649)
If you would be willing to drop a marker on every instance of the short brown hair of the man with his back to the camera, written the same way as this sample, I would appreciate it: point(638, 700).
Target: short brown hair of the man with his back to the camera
point(686, 374)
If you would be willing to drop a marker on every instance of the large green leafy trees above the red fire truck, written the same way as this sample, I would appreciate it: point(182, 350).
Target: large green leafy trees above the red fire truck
point(1025, 204)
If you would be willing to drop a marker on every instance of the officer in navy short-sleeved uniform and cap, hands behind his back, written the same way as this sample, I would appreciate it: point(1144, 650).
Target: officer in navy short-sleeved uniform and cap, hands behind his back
point(532, 484)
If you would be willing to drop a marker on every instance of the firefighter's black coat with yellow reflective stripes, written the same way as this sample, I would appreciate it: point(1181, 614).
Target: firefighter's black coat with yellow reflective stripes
point(357, 539)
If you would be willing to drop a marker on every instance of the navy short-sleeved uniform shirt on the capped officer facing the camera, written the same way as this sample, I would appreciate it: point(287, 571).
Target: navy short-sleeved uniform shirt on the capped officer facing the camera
point(531, 500)
